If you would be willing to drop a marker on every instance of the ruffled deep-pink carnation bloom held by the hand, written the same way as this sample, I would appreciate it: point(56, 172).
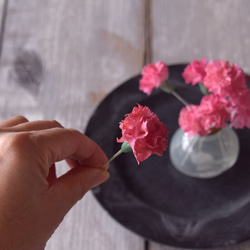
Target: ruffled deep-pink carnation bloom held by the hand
point(144, 132)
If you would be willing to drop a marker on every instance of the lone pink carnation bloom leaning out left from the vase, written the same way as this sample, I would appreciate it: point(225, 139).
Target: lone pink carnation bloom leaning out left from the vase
point(153, 76)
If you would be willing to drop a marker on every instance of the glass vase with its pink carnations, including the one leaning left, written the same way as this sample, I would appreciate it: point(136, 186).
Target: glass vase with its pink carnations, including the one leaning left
point(206, 144)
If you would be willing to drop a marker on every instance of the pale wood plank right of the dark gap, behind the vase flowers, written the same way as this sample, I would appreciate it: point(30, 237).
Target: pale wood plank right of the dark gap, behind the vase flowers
point(183, 30)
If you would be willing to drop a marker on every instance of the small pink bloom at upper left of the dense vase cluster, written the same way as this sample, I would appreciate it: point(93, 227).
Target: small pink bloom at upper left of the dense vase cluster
point(195, 71)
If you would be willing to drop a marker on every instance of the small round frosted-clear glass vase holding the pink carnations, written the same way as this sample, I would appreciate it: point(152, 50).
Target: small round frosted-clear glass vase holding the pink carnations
point(204, 156)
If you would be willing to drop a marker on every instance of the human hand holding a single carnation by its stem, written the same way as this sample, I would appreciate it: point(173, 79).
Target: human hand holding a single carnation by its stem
point(33, 201)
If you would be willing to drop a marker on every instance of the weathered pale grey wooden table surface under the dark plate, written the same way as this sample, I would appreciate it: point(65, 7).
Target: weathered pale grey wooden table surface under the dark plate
point(60, 58)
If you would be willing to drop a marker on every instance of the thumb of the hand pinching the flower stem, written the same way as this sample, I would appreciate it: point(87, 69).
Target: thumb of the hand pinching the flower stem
point(71, 187)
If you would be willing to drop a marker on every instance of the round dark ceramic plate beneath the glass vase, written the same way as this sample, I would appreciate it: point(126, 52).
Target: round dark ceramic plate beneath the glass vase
point(153, 199)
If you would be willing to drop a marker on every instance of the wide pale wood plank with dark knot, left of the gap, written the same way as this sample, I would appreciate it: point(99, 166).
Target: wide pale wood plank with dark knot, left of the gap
point(60, 58)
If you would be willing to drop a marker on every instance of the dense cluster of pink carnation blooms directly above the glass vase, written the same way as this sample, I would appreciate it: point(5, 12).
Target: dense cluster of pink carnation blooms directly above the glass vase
point(229, 98)
